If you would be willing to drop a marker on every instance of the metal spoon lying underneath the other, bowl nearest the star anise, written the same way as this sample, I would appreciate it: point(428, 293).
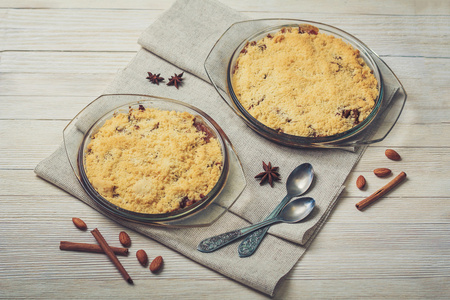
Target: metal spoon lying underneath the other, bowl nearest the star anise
point(297, 184)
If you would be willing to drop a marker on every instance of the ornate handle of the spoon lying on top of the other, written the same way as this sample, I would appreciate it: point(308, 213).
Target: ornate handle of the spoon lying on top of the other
point(213, 243)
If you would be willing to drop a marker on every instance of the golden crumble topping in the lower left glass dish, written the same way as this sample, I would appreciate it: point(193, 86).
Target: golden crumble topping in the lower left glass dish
point(153, 161)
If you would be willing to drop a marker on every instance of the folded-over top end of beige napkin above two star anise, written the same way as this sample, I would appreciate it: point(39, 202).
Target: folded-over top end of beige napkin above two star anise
point(184, 34)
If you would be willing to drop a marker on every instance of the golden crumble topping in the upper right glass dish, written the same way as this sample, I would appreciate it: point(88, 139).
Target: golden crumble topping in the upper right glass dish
point(304, 83)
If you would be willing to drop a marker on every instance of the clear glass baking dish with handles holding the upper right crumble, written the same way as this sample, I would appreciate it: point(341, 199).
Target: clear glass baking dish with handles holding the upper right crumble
point(220, 63)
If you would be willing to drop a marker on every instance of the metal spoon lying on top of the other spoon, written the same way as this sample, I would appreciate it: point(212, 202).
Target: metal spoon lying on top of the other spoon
point(294, 212)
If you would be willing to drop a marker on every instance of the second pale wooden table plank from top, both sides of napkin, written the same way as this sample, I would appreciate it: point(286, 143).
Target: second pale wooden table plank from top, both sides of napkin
point(111, 30)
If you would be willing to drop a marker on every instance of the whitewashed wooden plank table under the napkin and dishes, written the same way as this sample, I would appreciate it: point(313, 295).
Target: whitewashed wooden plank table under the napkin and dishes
point(57, 56)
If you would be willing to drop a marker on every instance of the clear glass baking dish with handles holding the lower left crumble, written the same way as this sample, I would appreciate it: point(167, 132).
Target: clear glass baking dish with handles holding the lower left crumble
point(81, 129)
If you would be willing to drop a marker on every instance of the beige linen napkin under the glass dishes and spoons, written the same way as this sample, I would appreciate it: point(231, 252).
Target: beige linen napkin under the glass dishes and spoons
point(180, 41)
